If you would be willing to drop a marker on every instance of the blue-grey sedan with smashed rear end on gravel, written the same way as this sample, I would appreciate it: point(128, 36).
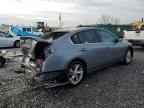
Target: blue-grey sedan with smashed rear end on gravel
point(73, 54)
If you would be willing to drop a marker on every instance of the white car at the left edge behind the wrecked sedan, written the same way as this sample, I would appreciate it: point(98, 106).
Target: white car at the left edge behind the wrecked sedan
point(7, 40)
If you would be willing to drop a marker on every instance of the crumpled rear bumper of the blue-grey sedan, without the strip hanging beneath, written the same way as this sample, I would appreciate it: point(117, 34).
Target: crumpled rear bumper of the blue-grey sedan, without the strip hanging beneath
point(33, 72)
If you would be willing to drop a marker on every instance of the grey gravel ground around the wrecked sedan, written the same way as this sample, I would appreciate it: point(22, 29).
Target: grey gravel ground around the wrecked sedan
point(118, 86)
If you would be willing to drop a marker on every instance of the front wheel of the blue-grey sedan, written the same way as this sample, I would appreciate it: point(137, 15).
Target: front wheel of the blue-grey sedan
point(128, 57)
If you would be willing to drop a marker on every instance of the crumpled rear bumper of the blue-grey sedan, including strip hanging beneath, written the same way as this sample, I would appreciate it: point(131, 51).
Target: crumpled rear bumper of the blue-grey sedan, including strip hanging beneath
point(47, 80)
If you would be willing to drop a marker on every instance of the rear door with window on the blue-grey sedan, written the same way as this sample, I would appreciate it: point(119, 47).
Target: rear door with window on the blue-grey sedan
point(91, 49)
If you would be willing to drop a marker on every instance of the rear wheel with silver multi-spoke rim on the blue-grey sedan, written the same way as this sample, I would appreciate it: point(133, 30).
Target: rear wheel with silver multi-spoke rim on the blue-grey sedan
point(75, 73)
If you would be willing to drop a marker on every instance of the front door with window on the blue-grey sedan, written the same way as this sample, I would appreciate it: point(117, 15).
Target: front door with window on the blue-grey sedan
point(114, 47)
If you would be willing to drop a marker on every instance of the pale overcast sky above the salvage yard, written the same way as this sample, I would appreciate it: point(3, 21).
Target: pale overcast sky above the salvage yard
point(74, 12)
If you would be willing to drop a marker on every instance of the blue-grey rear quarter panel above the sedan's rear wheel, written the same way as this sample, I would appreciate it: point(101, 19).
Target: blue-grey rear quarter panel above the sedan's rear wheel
point(65, 53)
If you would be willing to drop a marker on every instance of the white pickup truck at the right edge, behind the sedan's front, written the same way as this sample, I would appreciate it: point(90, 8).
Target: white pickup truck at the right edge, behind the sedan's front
point(136, 37)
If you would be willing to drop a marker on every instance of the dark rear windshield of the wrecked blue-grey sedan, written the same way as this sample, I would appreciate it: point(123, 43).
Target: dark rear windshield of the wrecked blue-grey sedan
point(54, 35)
